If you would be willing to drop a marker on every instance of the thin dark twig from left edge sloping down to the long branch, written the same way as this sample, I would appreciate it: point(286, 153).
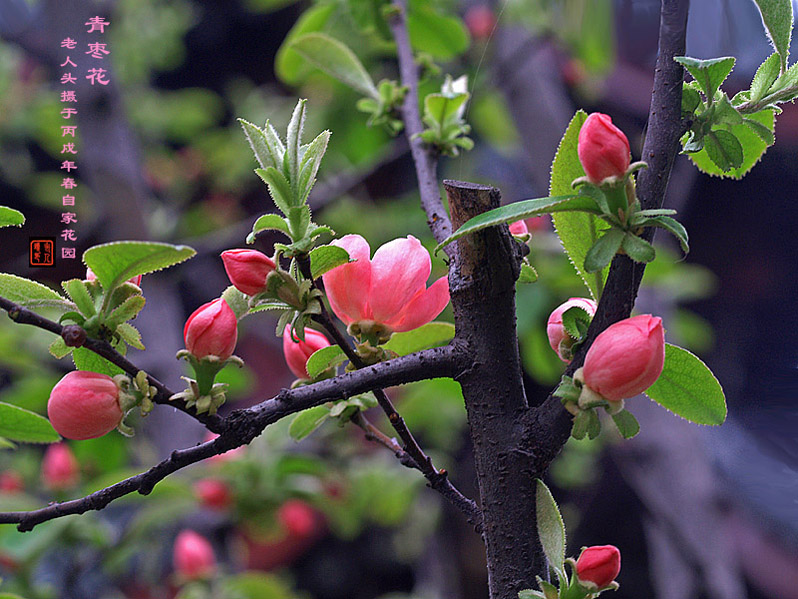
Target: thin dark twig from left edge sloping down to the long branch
point(22, 315)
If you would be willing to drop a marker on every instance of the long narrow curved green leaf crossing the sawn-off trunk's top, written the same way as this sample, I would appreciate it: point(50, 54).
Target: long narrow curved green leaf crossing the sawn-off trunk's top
point(521, 210)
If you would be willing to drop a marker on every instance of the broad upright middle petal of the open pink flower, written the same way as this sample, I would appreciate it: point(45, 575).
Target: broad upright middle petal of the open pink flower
point(399, 270)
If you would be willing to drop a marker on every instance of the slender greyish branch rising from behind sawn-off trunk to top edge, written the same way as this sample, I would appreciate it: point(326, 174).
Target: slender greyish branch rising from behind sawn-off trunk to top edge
point(424, 158)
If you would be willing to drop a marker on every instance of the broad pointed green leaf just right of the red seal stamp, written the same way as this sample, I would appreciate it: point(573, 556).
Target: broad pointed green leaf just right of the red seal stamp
point(116, 262)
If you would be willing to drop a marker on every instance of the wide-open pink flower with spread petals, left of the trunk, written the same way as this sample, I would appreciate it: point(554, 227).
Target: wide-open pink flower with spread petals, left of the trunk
point(389, 289)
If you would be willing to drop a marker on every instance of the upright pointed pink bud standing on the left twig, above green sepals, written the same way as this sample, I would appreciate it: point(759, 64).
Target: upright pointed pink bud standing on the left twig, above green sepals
point(212, 330)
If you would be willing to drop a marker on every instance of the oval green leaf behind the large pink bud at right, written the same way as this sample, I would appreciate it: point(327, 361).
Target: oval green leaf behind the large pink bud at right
point(688, 388)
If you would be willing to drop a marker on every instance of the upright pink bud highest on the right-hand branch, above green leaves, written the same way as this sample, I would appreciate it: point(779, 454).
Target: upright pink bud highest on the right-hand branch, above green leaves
point(603, 148)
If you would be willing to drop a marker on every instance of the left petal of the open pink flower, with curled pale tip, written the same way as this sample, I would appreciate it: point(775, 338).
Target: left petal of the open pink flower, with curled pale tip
point(347, 286)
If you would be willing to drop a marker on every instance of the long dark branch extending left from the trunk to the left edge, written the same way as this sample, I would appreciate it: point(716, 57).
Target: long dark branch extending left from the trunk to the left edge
point(242, 426)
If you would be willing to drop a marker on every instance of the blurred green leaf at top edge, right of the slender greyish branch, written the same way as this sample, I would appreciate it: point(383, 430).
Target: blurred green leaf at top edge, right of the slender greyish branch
point(442, 37)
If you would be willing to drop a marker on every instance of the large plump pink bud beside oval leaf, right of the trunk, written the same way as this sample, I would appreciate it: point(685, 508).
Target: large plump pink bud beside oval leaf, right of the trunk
point(626, 358)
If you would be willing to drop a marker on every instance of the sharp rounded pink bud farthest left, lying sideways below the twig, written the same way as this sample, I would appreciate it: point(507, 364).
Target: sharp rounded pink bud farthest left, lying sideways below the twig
point(84, 405)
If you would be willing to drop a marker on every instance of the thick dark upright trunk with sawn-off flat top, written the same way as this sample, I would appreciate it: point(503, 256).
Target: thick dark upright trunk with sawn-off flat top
point(482, 280)
